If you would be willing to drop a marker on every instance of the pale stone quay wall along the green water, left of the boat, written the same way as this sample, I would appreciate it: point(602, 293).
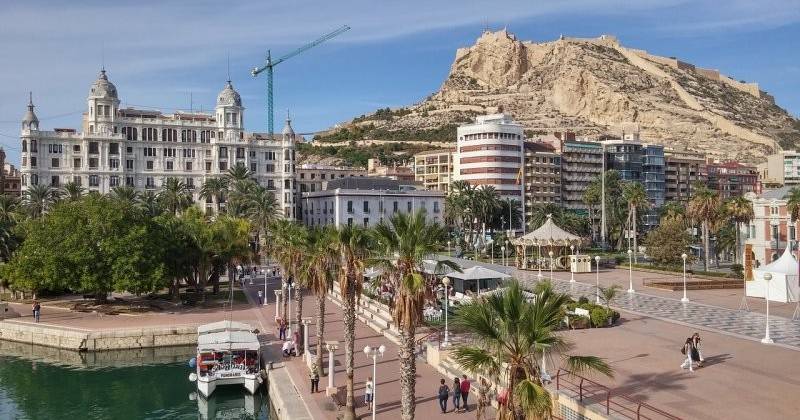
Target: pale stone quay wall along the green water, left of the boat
point(90, 340)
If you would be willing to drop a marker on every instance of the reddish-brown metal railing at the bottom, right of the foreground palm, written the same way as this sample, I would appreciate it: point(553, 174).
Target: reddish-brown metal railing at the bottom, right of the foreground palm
point(621, 405)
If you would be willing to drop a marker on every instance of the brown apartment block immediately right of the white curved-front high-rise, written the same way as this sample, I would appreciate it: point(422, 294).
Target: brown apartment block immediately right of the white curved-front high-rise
point(542, 175)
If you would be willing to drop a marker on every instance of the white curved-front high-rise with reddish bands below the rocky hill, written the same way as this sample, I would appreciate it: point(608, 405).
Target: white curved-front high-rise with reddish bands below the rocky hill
point(490, 152)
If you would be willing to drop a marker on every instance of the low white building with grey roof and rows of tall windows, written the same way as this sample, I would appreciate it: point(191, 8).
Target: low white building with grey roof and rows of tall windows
point(367, 201)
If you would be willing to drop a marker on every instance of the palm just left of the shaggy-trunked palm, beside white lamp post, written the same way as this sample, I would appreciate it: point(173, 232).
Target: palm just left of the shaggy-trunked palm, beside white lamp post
point(318, 273)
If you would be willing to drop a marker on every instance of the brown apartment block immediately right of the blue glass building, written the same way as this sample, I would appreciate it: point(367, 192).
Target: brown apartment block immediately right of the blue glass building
point(682, 171)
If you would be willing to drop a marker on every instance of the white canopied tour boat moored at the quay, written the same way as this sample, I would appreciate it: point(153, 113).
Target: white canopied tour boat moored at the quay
point(228, 353)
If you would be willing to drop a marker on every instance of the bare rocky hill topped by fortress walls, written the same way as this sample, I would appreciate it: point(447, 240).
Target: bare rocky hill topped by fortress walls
point(592, 87)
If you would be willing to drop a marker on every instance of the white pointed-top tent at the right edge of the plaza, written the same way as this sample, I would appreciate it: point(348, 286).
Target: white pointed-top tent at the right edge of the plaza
point(784, 286)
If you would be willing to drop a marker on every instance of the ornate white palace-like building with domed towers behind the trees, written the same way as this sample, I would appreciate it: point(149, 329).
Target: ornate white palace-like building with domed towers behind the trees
point(143, 148)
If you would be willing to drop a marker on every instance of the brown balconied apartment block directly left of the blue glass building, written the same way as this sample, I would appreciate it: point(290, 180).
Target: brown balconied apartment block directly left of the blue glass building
point(581, 163)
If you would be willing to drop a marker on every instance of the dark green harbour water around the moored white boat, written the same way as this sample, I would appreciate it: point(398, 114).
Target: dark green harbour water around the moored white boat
point(41, 383)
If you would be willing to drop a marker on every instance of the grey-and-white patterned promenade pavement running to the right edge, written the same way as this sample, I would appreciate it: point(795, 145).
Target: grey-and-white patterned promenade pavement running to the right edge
point(750, 325)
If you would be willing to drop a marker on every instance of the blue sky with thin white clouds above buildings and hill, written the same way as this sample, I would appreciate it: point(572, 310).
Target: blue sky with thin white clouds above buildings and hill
point(177, 54)
